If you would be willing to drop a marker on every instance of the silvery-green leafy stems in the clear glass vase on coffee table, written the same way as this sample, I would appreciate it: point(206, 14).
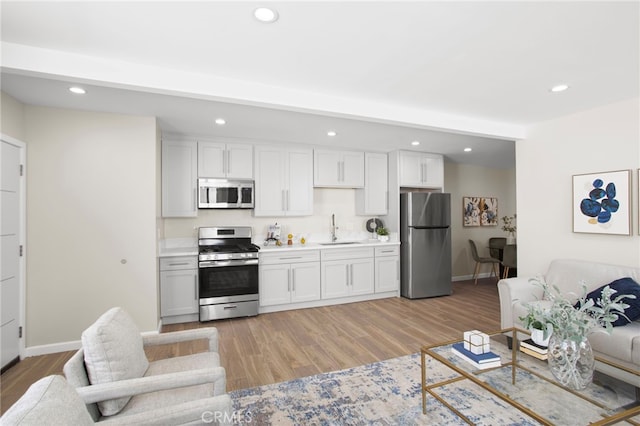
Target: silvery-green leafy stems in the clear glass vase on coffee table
point(575, 321)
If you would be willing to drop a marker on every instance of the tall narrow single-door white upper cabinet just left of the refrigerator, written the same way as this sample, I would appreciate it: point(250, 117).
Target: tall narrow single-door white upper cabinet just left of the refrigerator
point(373, 199)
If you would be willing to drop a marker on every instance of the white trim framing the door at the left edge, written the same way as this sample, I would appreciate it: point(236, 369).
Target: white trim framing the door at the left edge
point(23, 232)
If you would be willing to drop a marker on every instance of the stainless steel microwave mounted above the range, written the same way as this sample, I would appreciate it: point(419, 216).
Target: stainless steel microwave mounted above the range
point(225, 194)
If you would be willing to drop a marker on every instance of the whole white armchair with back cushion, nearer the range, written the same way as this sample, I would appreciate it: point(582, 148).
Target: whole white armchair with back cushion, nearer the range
point(112, 375)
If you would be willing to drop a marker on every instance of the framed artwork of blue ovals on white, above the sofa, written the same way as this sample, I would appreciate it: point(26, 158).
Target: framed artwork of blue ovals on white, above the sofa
point(602, 203)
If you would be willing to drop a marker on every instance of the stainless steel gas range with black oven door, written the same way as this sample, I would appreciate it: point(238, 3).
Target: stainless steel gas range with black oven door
point(228, 273)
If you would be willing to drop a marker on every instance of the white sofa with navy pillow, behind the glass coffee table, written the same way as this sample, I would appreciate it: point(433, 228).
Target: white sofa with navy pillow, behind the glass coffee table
point(622, 347)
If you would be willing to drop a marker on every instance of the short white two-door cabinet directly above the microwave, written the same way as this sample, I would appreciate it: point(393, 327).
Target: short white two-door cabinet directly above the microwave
point(225, 160)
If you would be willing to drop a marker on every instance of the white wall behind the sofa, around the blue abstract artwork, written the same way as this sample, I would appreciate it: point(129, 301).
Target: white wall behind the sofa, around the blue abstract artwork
point(602, 139)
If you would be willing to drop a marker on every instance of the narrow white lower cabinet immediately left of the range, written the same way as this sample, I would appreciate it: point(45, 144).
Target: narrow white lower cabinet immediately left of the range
point(178, 286)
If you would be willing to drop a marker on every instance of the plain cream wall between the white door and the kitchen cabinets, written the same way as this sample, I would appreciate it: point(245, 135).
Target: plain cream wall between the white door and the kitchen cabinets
point(91, 214)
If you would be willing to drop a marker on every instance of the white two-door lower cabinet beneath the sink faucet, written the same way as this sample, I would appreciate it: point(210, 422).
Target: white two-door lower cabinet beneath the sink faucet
point(347, 272)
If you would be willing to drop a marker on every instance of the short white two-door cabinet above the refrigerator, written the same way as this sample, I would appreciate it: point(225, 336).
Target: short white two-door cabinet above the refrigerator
point(419, 169)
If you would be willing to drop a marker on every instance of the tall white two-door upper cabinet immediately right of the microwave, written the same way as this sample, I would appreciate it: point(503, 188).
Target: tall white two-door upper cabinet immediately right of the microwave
point(283, 181)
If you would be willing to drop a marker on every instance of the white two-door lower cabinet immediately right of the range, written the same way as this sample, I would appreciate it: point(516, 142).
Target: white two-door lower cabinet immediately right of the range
point(291, 277)
